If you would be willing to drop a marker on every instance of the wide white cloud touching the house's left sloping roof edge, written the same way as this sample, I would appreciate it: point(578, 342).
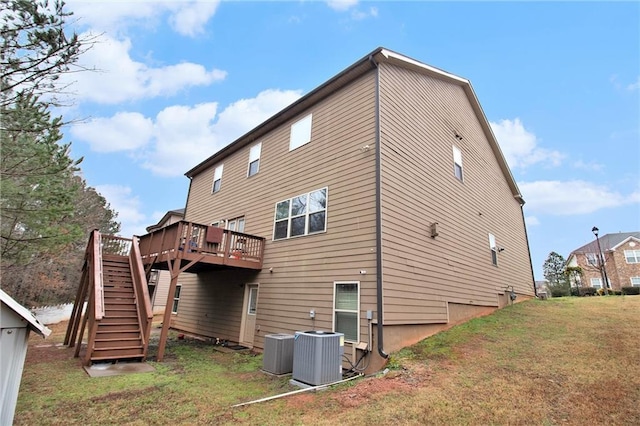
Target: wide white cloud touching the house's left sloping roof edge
point(181, 136)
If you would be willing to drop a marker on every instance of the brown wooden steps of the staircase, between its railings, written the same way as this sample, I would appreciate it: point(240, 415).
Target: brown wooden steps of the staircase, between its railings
point(118, 335)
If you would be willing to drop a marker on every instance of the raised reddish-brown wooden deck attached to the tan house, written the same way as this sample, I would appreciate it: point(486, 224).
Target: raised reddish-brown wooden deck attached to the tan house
point(200, 248)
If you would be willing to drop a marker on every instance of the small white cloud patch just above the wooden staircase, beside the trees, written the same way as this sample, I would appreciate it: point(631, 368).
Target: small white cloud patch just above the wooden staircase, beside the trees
point(128, 208)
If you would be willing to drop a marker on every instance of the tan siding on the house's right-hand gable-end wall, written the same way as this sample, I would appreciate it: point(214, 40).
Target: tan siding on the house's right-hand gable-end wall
point(419, 118)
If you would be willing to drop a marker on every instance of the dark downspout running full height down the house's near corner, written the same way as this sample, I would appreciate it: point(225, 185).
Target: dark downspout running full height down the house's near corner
point(379, 300)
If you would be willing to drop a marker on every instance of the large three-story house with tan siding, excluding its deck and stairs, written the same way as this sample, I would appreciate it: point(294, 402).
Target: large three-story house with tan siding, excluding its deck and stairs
point(387, 209)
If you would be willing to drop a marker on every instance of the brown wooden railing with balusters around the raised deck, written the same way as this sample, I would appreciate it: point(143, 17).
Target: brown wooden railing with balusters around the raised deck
point(187, 237)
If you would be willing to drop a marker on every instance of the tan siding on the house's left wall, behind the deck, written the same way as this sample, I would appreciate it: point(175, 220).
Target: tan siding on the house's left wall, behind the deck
point(303, 268)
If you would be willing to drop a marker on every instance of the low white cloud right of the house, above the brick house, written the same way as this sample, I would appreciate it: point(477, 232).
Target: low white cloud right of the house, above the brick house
point(572, 197)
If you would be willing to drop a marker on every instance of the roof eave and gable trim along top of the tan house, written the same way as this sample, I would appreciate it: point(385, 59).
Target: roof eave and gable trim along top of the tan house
point(364, 65)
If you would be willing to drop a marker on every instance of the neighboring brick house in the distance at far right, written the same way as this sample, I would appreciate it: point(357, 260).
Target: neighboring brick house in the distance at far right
point(621, 252)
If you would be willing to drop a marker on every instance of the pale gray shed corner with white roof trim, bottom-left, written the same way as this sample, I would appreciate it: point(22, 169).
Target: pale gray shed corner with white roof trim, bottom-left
point(16, 322)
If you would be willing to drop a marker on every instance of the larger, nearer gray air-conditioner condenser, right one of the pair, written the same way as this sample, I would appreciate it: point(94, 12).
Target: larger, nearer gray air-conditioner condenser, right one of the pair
point(317, 357)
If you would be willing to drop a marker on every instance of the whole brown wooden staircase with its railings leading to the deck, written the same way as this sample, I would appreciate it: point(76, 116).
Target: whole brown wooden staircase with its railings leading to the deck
point(118, 311)
